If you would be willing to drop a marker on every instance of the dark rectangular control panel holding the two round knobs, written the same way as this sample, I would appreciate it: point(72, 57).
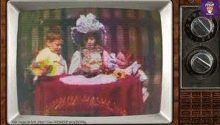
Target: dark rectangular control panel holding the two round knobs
point(199, 41)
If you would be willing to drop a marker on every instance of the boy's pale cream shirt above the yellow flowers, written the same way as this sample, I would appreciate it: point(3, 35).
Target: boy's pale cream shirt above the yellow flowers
point(53, 57)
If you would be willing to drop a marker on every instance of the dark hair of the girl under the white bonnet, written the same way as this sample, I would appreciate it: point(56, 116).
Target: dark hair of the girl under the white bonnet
point(96, 35)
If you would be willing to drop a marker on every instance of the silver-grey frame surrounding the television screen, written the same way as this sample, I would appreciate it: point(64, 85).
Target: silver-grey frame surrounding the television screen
point(164, 7)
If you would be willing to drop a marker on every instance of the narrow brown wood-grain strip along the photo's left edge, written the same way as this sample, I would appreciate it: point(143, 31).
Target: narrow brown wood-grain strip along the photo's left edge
point(3, 62)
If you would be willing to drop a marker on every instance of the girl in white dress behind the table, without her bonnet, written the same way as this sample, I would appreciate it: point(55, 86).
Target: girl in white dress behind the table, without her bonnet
point(88, 60)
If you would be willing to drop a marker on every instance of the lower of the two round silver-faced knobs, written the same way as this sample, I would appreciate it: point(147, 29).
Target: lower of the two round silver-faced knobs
point(202, 62)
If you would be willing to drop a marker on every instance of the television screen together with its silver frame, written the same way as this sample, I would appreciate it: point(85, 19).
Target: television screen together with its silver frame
point(136, 32)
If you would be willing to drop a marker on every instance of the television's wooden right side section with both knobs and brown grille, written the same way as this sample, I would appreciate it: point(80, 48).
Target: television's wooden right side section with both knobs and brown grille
point(199, 64)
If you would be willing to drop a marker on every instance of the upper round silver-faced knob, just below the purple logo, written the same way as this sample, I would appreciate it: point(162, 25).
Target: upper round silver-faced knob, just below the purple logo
point(202, 26)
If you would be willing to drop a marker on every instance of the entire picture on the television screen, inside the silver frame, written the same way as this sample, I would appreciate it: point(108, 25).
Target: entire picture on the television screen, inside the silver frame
point(130, 48)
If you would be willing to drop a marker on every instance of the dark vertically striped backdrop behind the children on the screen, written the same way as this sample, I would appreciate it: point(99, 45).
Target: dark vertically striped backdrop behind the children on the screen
point(139, 31)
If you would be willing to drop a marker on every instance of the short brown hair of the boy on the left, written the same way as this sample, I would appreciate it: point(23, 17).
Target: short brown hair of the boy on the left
point(54, 33)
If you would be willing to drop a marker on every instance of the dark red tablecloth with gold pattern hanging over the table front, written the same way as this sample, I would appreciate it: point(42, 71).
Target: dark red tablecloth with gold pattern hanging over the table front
point(123, 97)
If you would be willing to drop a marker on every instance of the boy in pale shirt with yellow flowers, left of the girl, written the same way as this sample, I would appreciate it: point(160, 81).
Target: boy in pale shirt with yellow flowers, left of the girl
point(49, 61)
